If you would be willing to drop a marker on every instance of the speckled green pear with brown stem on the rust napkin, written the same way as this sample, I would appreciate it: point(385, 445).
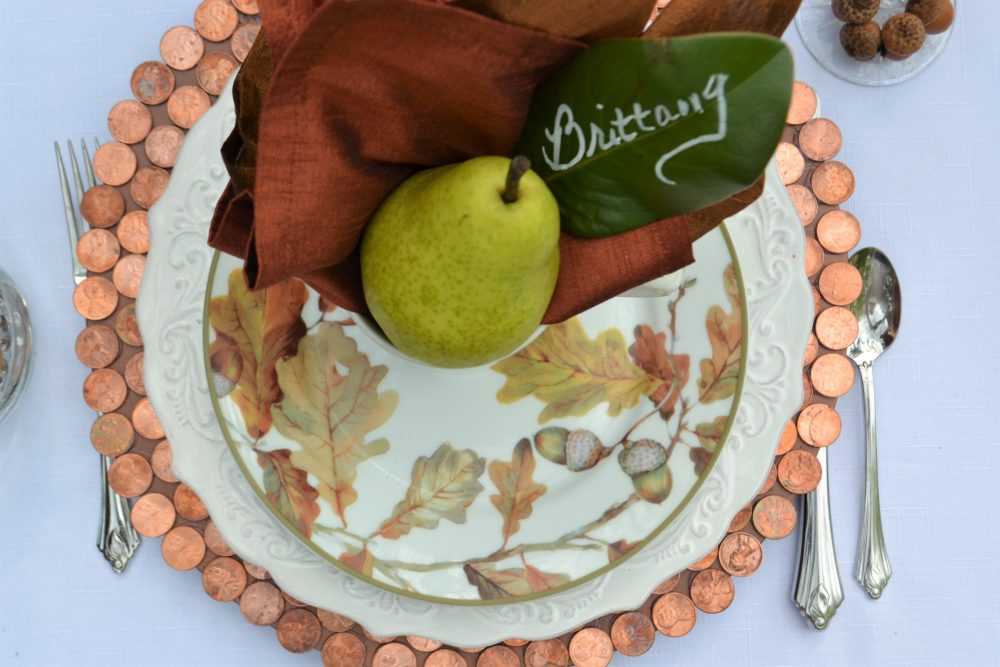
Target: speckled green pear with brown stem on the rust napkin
point(459, 263)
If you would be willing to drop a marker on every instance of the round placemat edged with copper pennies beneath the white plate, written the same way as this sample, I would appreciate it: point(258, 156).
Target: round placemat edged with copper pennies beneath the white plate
point(170, 96)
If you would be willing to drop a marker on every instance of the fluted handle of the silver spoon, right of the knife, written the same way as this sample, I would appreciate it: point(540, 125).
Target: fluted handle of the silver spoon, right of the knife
point(872, 569)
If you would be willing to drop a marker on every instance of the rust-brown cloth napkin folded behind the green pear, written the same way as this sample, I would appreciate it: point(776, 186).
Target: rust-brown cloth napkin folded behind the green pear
point(340, 101)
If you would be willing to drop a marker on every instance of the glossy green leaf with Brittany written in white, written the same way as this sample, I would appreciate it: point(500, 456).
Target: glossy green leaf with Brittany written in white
point(635, 131)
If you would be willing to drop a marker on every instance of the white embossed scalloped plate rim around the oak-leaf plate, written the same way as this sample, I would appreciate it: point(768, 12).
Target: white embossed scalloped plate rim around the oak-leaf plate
point(769, 244)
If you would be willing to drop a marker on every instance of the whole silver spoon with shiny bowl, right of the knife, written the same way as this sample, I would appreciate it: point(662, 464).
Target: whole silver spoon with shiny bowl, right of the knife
point(878, 310)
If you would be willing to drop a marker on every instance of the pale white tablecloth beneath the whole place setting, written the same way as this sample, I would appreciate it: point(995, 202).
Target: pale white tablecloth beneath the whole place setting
point(925, 155)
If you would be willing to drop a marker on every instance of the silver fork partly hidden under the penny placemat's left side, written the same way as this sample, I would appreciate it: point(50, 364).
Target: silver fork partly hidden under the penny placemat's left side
point(117, 539)
